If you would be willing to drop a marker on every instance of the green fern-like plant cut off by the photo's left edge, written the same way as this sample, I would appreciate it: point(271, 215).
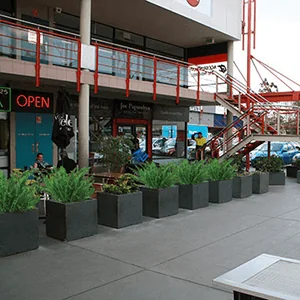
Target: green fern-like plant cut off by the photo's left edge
point(16, 195)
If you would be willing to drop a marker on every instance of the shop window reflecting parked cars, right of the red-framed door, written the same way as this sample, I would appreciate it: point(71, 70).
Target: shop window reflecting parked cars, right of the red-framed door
point(168, 139)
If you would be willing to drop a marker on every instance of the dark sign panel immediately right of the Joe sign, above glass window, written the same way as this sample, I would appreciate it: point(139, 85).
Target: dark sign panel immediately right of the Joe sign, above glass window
point(171, 113)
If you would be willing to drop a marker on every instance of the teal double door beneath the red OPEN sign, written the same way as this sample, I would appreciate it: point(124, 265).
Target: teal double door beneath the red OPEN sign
point(33, 135)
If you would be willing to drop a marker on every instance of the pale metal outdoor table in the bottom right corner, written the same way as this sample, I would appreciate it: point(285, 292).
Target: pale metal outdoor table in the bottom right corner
point(265, 277)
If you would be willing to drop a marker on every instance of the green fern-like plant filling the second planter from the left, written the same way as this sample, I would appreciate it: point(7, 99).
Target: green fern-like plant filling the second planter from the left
point(67, 188)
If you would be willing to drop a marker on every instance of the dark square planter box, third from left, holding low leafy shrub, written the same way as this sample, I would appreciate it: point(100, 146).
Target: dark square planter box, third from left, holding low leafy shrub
point(120, 211)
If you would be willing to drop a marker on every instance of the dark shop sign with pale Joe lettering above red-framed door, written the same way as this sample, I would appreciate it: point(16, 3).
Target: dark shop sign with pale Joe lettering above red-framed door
point(133, 110)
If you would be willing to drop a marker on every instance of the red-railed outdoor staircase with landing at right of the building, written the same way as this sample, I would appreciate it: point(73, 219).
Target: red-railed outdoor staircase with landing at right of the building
point(253, 110)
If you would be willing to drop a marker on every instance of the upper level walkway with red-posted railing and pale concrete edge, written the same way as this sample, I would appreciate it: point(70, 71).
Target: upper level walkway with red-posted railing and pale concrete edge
point(47, 55)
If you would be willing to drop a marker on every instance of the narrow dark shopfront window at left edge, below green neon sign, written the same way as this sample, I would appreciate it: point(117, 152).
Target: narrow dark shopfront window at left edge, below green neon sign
point(4, 143)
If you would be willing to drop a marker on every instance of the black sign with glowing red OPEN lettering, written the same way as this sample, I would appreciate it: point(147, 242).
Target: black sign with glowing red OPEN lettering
point(24, 101)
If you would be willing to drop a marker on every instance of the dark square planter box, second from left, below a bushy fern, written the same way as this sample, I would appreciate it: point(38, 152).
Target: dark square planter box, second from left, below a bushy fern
point(71, 221)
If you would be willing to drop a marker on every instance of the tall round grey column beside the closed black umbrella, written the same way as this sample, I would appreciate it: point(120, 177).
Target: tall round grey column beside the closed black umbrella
point(84, 95)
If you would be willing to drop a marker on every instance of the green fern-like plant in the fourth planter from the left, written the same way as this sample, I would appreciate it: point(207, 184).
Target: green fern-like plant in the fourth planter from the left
point(156, 177)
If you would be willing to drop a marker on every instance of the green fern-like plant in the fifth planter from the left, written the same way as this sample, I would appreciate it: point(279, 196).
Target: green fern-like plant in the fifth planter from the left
point(191, 173)
